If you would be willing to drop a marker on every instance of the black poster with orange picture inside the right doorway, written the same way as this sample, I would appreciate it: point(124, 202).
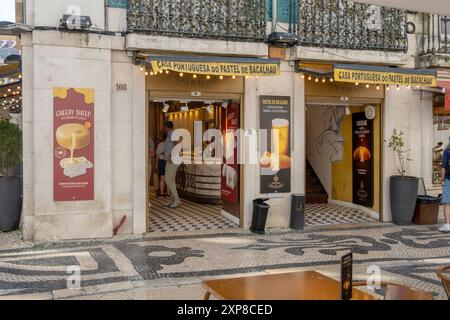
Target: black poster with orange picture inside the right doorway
point(362, 160)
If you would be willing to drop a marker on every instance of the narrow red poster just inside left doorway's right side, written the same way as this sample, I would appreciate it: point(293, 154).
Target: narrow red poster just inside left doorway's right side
point(230, 168)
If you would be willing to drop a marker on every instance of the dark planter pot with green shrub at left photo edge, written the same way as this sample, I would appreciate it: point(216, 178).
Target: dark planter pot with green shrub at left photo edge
point(10, 203)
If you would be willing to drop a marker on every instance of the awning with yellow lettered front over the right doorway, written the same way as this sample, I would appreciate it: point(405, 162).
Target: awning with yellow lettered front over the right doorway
point(384, 75)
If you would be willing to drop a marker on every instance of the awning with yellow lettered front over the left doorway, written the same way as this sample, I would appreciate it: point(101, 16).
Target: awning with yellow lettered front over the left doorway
point(221, 66)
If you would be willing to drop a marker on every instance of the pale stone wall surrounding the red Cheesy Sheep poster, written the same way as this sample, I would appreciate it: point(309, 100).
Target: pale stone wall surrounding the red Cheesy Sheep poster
point(54, 59)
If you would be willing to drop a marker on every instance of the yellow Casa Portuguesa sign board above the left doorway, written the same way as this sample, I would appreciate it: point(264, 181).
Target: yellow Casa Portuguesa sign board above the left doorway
point(218, 68)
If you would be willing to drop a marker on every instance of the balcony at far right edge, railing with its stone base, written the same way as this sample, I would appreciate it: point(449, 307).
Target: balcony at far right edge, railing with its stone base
point(435, 51)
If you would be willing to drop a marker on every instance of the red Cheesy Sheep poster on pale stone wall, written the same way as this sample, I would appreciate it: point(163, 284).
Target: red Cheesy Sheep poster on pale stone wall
point(73, 144)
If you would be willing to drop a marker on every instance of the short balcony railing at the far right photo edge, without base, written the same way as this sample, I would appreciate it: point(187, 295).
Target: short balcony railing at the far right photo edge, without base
point(436, 34)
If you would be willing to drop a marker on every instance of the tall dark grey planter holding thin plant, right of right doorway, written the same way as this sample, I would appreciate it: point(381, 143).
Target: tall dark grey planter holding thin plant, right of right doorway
point(403, 191)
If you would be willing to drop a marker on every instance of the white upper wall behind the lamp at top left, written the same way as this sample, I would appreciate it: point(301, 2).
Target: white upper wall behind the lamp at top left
point(47, 13)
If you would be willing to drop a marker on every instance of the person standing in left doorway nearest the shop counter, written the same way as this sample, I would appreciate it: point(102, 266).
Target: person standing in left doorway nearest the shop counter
point(171, 167)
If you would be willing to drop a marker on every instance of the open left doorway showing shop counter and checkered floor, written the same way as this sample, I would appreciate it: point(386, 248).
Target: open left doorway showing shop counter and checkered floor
point(209, 190)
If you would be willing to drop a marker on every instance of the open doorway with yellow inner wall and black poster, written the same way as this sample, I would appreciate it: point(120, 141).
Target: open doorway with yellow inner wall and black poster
point(343, 163)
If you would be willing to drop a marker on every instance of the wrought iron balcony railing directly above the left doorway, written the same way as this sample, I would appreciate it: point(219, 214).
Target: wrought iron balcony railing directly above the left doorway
point(240, 20)
